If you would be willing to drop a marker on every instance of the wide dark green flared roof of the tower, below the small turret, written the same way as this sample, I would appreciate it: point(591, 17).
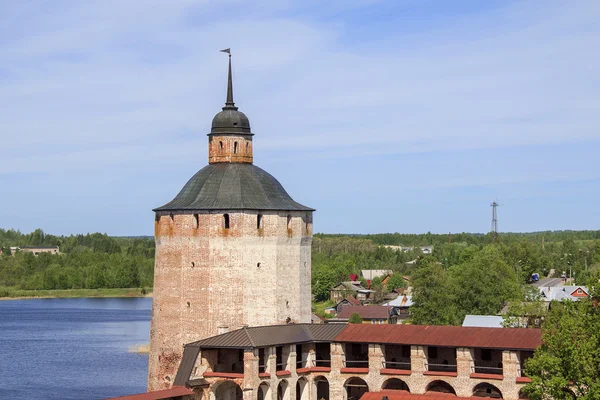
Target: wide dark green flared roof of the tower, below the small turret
point(233, 186)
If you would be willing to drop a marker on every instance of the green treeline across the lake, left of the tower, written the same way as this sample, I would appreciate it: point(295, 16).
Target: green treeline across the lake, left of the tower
point(89, 261)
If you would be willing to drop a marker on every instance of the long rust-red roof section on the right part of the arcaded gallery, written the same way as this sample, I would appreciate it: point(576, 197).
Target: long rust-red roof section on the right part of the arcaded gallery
point(444, 336)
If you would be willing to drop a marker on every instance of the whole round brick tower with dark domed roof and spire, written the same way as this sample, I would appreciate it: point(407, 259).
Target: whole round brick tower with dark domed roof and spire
point(232, 249)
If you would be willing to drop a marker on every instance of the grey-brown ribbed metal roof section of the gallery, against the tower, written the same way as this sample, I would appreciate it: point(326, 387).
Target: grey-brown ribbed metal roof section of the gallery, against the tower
point(262, 336)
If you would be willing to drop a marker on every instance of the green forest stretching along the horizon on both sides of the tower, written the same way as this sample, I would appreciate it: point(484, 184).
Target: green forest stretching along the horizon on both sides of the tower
point(461, 264)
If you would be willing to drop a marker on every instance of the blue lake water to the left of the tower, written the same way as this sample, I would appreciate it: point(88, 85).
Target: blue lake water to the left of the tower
point(73, 348)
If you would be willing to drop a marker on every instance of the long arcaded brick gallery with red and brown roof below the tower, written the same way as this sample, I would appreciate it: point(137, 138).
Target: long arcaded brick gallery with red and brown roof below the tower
point(339, 361)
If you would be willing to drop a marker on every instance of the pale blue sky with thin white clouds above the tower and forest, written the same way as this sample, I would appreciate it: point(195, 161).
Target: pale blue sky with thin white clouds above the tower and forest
point(386, 116)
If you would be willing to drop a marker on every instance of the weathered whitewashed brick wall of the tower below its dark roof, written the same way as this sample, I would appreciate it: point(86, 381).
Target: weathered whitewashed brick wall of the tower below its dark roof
point(209, 279)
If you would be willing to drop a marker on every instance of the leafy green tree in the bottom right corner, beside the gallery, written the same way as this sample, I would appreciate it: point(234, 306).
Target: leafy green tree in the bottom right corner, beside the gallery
point(567, 364)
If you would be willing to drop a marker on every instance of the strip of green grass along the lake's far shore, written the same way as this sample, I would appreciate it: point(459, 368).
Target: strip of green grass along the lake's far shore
point(8, 293)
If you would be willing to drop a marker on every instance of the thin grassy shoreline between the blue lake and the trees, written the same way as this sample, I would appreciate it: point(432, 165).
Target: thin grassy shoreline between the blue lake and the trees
point(77, 293)
